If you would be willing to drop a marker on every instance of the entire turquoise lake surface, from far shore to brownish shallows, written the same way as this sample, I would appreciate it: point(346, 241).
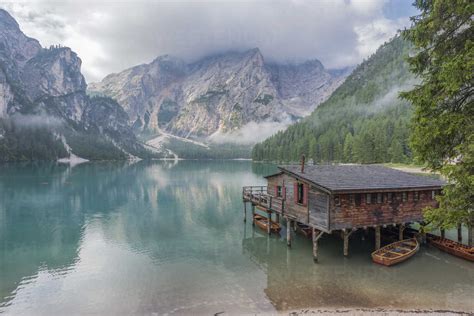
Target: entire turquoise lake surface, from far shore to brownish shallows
point(116, 238)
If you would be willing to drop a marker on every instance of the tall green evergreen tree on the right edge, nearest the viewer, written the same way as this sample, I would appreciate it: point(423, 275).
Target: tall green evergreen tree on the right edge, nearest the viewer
point(443, 133)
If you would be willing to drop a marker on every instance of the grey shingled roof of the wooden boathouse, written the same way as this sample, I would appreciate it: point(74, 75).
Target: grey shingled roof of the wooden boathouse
point(357, 178)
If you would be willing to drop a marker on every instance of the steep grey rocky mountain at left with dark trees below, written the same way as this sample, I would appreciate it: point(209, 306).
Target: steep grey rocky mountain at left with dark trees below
point(45, 112)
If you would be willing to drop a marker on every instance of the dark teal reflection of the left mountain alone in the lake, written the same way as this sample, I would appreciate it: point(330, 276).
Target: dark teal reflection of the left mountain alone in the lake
point(43, 210)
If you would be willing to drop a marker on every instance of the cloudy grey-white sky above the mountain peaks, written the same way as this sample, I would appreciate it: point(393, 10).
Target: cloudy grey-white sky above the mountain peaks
point(110, 36)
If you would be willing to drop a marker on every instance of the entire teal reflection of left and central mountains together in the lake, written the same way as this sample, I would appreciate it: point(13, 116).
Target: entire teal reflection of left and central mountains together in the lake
point(46, 207)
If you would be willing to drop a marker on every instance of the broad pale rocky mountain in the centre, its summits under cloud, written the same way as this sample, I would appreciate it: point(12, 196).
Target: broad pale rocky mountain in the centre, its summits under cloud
point(218, 94)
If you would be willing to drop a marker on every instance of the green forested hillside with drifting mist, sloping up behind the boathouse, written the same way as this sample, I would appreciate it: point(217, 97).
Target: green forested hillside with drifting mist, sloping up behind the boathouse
point(363, 121)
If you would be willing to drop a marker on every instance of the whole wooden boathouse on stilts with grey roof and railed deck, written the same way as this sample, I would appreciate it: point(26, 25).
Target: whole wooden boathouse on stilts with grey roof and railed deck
point(343, 199)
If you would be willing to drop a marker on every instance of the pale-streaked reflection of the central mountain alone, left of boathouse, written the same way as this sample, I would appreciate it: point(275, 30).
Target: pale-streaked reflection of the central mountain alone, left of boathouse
point(193, 203)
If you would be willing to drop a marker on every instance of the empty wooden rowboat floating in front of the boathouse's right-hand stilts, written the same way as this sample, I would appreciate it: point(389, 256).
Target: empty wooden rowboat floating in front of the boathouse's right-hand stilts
point(396, 252)
